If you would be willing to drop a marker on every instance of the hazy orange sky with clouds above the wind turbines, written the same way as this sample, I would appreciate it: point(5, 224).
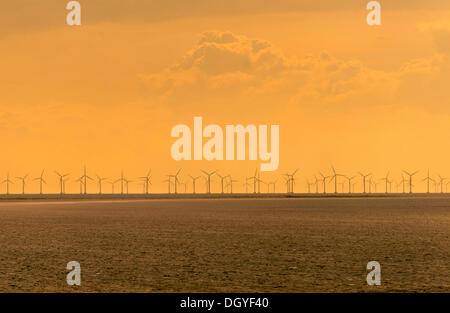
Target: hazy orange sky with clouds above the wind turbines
point(107, 93)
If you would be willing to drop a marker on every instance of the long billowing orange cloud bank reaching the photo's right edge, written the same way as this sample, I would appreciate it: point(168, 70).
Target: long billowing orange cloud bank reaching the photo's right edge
point(227, 72)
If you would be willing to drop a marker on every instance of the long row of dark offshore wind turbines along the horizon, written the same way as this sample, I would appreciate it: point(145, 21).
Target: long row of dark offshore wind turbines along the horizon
point(216, 185)
